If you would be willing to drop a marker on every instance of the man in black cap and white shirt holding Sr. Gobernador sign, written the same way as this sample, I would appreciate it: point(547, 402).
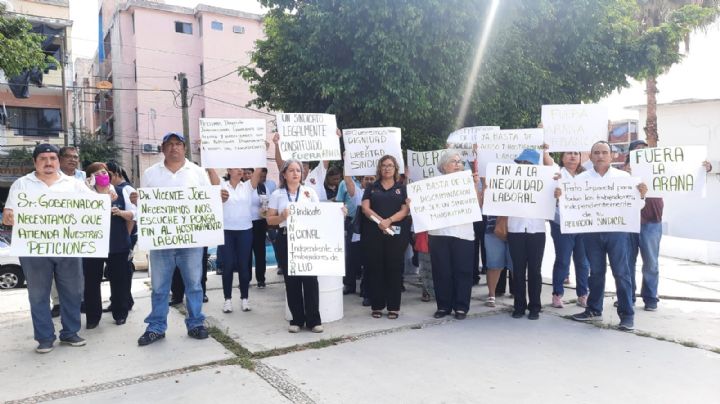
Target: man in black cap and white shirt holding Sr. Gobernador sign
point(40, 271)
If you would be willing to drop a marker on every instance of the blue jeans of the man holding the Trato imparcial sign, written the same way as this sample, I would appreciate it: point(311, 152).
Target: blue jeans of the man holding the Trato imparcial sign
point(614, 246)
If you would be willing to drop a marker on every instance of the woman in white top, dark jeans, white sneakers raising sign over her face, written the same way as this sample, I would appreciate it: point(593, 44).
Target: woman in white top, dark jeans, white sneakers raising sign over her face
point(238, 234)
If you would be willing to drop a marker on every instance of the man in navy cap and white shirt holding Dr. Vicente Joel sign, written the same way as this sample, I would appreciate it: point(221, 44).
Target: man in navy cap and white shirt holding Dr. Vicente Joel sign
point(174, 171)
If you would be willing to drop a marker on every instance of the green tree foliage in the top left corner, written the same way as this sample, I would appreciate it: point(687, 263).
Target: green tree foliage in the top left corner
point(20, 48)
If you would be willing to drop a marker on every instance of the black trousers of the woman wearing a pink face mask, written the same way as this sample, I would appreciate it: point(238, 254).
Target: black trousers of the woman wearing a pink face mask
point(119, 280)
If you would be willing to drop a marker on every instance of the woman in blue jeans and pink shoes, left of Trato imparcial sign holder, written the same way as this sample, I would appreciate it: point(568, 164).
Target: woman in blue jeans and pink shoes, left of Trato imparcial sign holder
point(569, 245)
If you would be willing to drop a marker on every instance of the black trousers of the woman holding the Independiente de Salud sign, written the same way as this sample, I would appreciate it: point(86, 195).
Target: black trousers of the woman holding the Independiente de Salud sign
point(302, 292)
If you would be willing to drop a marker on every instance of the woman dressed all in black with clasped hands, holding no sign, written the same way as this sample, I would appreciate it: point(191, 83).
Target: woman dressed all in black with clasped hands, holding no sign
point(385, 235)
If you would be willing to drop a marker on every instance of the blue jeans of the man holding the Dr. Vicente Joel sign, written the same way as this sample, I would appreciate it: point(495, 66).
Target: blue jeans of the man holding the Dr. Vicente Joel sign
point(162, 266)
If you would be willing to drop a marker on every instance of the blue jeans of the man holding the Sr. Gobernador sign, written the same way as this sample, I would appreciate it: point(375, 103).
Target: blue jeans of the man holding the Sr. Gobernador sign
point(39, 273)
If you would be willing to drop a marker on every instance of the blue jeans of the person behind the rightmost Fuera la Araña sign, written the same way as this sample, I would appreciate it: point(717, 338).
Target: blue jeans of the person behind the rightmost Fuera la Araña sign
point(648, 242)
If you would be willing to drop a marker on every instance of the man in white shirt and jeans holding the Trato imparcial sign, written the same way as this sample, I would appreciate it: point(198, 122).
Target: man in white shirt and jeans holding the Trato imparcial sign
point(611, 245)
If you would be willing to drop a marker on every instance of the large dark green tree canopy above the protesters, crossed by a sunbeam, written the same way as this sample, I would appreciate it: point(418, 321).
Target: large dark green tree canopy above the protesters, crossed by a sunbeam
point(405, 62)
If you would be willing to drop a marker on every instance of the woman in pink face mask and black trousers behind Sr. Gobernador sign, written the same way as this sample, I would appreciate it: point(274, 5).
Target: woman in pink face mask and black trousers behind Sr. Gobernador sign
point(98, 179)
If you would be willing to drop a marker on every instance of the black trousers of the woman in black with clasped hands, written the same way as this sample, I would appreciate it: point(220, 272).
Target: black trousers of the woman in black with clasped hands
point(385, 259)
